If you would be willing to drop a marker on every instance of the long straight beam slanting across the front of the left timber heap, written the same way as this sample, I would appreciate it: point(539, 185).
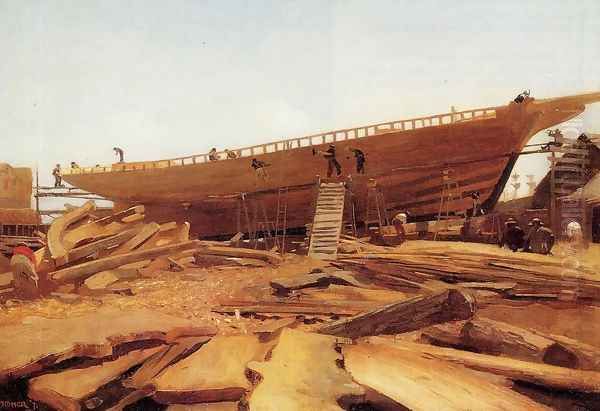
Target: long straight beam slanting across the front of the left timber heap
point(85, 270)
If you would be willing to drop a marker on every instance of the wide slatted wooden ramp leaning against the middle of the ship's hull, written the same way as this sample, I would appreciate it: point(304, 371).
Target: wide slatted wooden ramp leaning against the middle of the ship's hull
point(328, 220)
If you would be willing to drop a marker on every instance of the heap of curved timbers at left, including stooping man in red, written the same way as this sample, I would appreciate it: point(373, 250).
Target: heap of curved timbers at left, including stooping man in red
point(96, 253)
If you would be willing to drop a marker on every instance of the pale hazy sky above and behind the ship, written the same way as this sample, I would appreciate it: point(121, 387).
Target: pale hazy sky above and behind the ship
point(168, 79)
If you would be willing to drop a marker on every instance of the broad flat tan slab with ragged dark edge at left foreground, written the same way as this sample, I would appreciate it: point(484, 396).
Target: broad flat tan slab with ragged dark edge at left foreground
point(92, 335)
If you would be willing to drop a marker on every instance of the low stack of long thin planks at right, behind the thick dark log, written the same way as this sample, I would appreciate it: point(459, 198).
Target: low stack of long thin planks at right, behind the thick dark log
point(429, 265)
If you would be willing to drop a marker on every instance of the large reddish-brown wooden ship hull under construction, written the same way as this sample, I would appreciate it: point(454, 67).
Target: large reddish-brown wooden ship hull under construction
point(406, 158)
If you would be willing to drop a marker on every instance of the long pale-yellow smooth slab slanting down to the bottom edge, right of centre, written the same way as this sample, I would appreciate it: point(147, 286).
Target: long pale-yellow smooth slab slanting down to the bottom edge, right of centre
point(423, 384)
